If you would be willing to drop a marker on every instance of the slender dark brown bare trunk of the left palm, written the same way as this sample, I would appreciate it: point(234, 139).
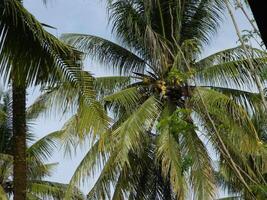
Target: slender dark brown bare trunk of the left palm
point(19, 145)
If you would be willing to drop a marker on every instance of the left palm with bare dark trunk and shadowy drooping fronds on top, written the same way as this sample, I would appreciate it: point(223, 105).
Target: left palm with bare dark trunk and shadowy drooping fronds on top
point(31, 56)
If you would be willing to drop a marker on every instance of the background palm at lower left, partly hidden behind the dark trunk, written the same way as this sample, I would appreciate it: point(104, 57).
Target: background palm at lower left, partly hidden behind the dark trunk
point(37, 154)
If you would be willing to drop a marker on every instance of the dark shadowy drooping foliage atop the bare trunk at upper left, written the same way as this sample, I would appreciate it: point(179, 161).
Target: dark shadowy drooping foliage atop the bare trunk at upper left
point(47, 57)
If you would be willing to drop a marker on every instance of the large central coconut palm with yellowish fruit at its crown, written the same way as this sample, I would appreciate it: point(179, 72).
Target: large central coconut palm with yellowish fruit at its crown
point(167, 104)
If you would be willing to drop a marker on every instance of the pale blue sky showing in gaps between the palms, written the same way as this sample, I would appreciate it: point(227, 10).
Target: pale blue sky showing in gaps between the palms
point(90, 17)
